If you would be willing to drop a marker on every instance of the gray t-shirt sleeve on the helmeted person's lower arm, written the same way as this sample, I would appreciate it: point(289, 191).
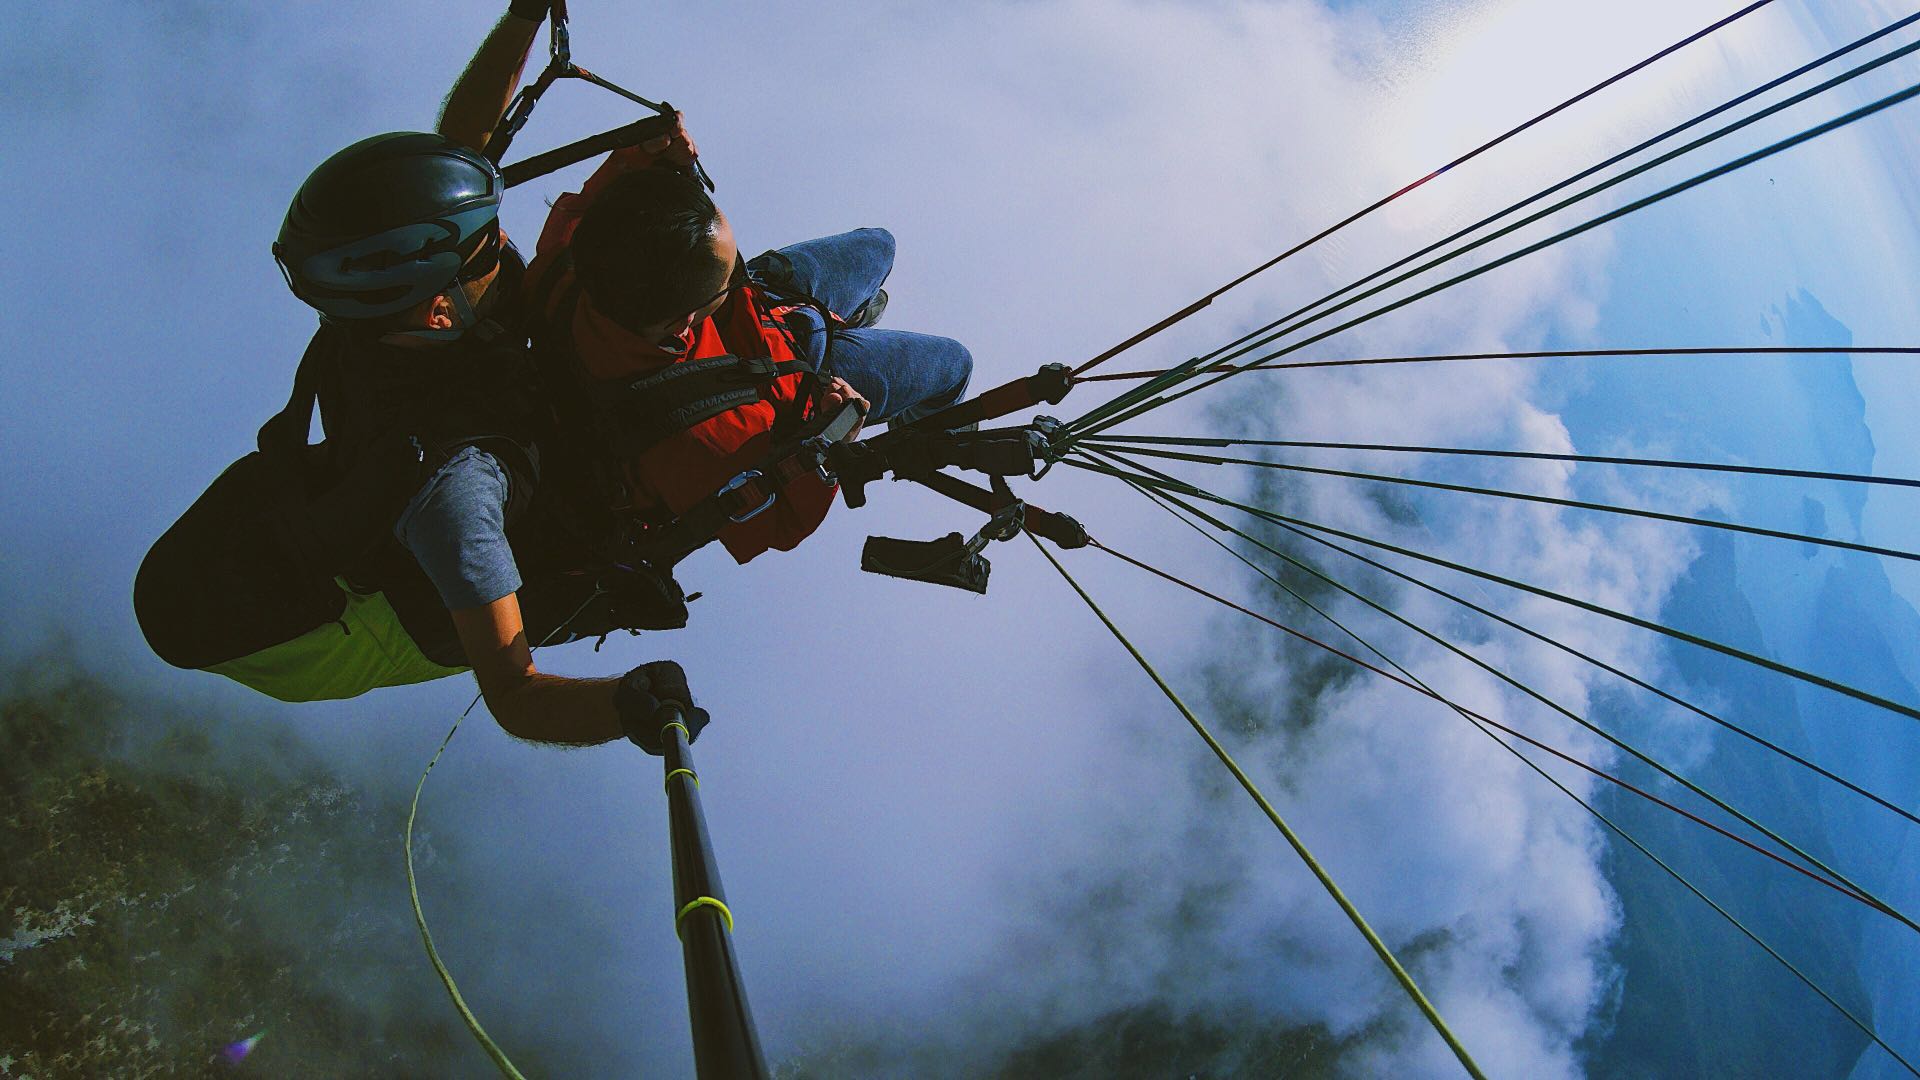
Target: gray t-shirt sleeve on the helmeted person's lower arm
point(458, 531)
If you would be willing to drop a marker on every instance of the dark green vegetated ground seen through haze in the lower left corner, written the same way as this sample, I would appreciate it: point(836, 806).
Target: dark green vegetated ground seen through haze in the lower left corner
point(170, 887)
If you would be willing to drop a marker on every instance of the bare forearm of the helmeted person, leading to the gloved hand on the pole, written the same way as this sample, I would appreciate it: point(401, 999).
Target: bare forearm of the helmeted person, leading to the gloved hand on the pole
point(542, 708)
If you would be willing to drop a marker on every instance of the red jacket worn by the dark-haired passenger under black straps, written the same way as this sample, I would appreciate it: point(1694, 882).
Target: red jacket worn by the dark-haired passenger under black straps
point(671, 474)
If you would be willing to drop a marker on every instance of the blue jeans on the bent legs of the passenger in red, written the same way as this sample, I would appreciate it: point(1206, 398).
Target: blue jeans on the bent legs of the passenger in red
point(905, 376)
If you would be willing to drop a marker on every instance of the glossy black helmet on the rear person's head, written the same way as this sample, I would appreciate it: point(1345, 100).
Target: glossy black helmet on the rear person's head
point(391, 222)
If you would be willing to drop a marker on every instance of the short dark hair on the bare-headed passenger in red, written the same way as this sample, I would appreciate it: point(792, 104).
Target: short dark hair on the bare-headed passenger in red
point(640, 247)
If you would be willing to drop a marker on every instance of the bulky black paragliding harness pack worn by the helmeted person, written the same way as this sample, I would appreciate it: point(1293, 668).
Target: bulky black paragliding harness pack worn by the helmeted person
point(260, 556)
